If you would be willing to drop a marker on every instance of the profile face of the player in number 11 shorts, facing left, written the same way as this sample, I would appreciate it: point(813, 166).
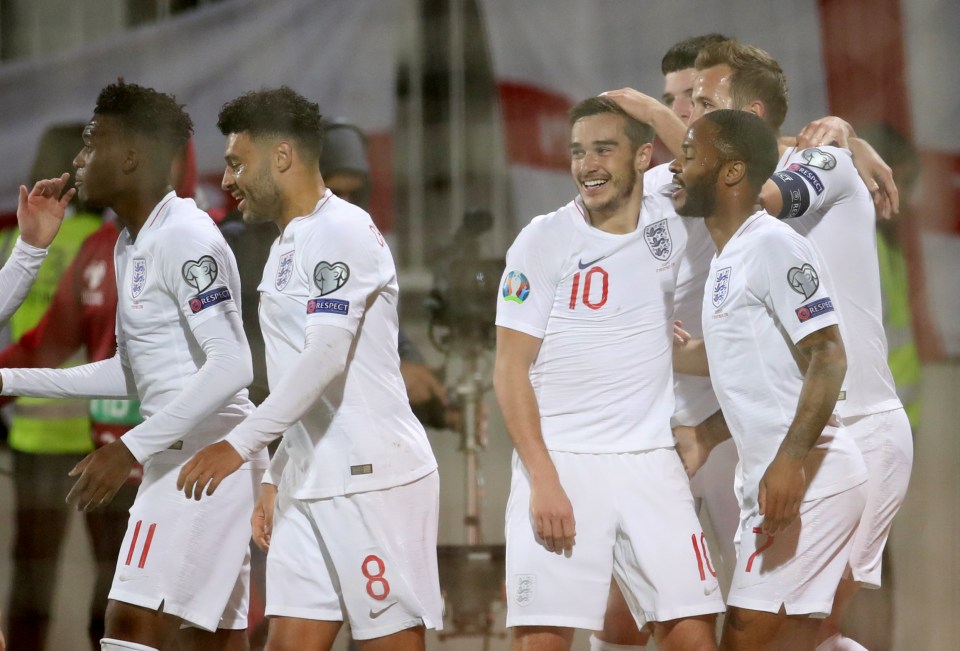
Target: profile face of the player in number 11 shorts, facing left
point(99, 164)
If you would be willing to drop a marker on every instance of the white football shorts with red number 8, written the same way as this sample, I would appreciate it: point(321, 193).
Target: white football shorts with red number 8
point(376, 551)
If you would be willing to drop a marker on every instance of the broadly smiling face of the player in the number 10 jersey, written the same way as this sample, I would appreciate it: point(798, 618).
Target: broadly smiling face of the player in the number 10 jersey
point(603, 163)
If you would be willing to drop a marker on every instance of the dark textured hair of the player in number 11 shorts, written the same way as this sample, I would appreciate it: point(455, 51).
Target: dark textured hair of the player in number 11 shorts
point(146, 112)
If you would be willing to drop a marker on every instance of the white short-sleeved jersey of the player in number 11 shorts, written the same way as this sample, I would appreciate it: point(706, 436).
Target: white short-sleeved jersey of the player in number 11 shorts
point(178, 273)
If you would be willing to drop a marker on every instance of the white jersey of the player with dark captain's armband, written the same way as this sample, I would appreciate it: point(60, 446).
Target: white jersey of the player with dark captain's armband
point(826, 201)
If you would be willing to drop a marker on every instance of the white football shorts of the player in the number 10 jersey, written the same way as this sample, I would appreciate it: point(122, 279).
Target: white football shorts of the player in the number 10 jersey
point(635, 520)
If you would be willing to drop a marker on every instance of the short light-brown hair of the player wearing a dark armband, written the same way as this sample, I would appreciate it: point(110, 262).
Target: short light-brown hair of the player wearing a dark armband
point(756, 76)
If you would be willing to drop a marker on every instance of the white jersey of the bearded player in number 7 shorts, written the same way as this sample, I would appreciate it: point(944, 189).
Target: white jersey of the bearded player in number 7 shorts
point(766, 291)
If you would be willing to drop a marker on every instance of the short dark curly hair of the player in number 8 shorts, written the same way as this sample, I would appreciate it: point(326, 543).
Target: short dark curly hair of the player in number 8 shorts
point(275, 112)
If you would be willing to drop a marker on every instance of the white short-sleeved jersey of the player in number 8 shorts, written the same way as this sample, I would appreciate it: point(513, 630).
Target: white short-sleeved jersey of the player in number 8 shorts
point(334, 267)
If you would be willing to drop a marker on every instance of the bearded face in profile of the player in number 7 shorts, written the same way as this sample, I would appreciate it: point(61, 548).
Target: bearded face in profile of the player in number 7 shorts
point(696, 173)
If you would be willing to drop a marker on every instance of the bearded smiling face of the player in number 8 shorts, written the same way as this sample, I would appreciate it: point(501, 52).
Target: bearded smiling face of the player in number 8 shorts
point(248, 178)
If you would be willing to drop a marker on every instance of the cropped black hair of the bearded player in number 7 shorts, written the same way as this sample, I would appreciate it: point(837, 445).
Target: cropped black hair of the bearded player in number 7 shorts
point(743, 136)
